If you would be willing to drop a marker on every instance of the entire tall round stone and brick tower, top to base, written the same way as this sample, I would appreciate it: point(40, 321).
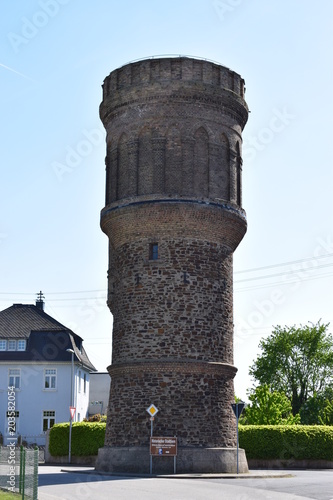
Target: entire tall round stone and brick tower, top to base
point(173, 217)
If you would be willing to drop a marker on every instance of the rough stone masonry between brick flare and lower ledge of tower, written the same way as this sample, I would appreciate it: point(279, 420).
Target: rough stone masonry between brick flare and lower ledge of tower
point(180, 303)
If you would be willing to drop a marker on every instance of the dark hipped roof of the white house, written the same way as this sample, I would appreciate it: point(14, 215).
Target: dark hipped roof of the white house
point(47, 339)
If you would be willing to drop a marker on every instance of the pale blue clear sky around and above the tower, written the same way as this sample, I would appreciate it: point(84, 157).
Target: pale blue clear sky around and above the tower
point(54, 56)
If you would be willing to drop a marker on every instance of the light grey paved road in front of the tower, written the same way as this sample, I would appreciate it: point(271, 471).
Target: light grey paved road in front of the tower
point(55, 485)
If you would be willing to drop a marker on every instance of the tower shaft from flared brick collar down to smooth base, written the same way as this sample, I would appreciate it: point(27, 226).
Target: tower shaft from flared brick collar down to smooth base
point(176, 310)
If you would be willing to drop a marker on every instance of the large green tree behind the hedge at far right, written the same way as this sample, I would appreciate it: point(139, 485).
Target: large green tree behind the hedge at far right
point(297, 361)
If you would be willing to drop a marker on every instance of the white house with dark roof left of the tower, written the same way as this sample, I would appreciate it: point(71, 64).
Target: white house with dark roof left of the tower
point(41, 362)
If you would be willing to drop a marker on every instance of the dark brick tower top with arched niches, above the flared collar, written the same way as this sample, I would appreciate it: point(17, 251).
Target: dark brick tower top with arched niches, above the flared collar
point(179, 121)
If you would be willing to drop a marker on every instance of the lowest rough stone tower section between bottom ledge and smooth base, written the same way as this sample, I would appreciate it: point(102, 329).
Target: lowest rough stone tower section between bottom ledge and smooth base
point(194, 403)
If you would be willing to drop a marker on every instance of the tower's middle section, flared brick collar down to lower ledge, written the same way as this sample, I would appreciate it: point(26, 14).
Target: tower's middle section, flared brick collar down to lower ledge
point(181, 302)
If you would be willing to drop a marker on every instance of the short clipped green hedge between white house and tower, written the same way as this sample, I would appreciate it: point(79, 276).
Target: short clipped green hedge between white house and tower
point(87, 437)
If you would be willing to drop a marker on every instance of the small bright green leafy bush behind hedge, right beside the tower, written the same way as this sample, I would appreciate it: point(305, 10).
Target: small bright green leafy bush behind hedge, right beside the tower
point(268, 408)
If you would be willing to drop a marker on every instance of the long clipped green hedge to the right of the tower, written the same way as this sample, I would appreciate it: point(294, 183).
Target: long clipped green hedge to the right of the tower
point(301, 442)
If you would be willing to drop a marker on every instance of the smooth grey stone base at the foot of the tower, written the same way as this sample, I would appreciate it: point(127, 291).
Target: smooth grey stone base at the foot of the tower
point(136, 459)
